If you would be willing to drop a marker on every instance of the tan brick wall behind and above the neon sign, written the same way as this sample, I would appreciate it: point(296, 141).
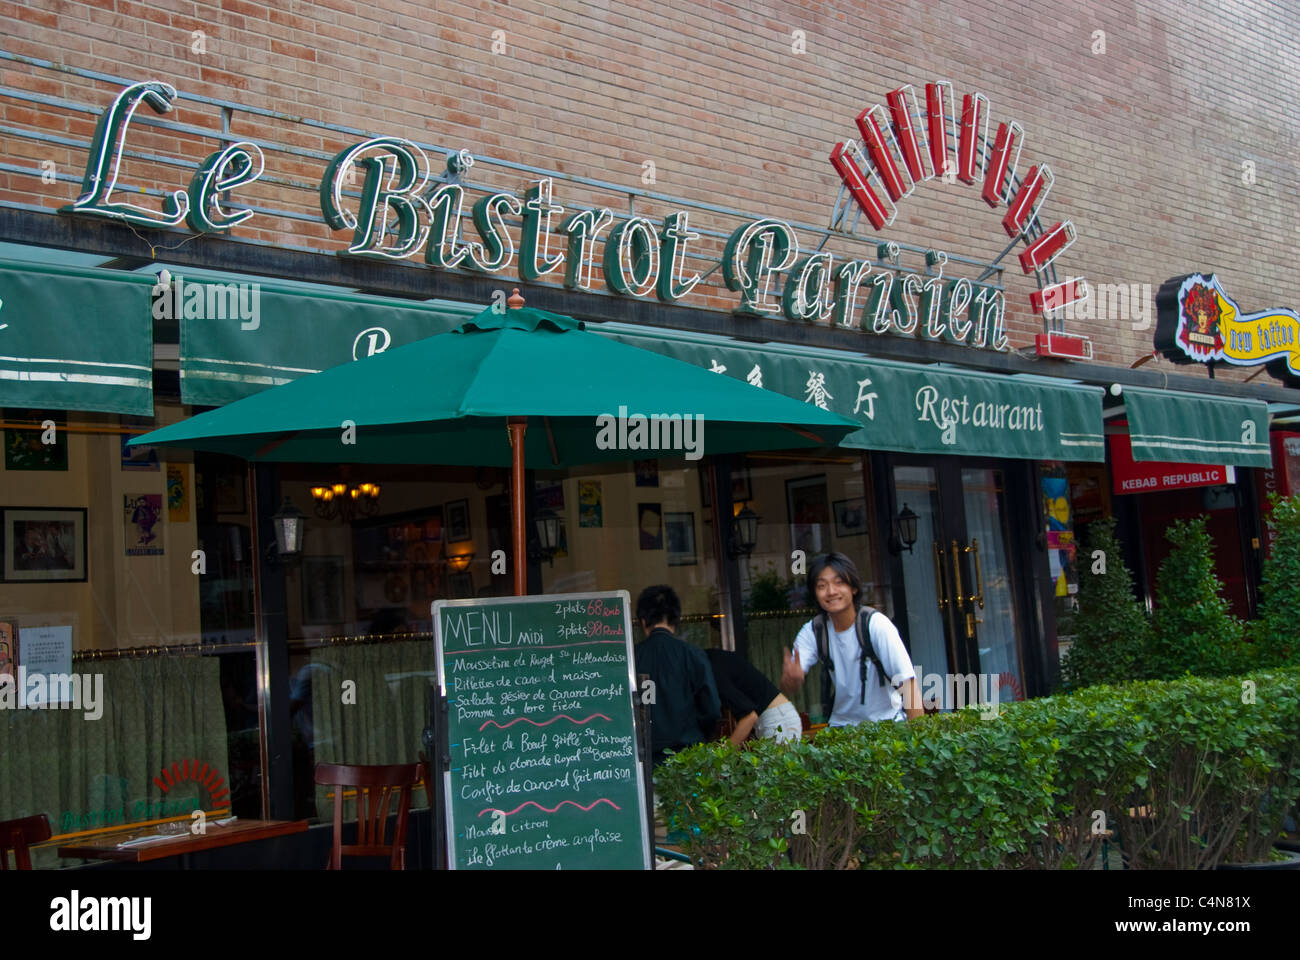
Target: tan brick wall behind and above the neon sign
point(1147, 139)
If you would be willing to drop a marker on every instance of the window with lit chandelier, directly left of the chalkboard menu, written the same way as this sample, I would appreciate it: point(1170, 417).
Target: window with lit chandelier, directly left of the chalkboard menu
point(359, 606)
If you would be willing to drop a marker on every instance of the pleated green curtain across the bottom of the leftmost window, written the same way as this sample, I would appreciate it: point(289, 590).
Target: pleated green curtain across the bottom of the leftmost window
point(94, 773)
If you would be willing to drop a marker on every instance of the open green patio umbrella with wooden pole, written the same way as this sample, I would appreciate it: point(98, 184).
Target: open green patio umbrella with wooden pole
point(522, 388)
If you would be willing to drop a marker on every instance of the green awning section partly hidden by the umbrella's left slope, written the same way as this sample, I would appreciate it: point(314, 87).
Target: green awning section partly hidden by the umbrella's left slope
point(227, 357)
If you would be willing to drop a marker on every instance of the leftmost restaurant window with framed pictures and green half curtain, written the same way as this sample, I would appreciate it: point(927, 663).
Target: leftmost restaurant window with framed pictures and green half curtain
point(127, 608)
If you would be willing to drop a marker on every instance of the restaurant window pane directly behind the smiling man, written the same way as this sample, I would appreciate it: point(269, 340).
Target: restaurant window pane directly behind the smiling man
point(812, 501)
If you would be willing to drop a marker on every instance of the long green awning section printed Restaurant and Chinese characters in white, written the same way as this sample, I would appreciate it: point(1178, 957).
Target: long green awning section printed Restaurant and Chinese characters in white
point(905, 408)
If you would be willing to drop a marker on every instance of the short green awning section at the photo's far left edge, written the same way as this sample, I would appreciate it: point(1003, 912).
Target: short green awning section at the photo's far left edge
point(76, 339)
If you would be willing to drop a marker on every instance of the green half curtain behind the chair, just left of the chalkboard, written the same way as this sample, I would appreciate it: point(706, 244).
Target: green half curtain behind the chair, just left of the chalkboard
point(383, 720)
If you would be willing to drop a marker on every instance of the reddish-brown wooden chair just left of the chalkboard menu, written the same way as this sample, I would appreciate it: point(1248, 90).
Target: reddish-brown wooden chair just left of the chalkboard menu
point(375, 788)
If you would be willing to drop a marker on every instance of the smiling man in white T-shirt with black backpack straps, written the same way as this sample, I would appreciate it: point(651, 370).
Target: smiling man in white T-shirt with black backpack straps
point(869, 674)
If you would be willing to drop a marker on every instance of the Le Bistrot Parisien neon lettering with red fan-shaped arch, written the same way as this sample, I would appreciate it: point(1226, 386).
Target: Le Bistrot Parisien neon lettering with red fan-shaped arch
point(396, 205)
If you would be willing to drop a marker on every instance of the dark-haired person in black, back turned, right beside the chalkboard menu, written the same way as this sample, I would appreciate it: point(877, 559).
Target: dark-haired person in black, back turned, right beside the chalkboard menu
point(684, 710)
